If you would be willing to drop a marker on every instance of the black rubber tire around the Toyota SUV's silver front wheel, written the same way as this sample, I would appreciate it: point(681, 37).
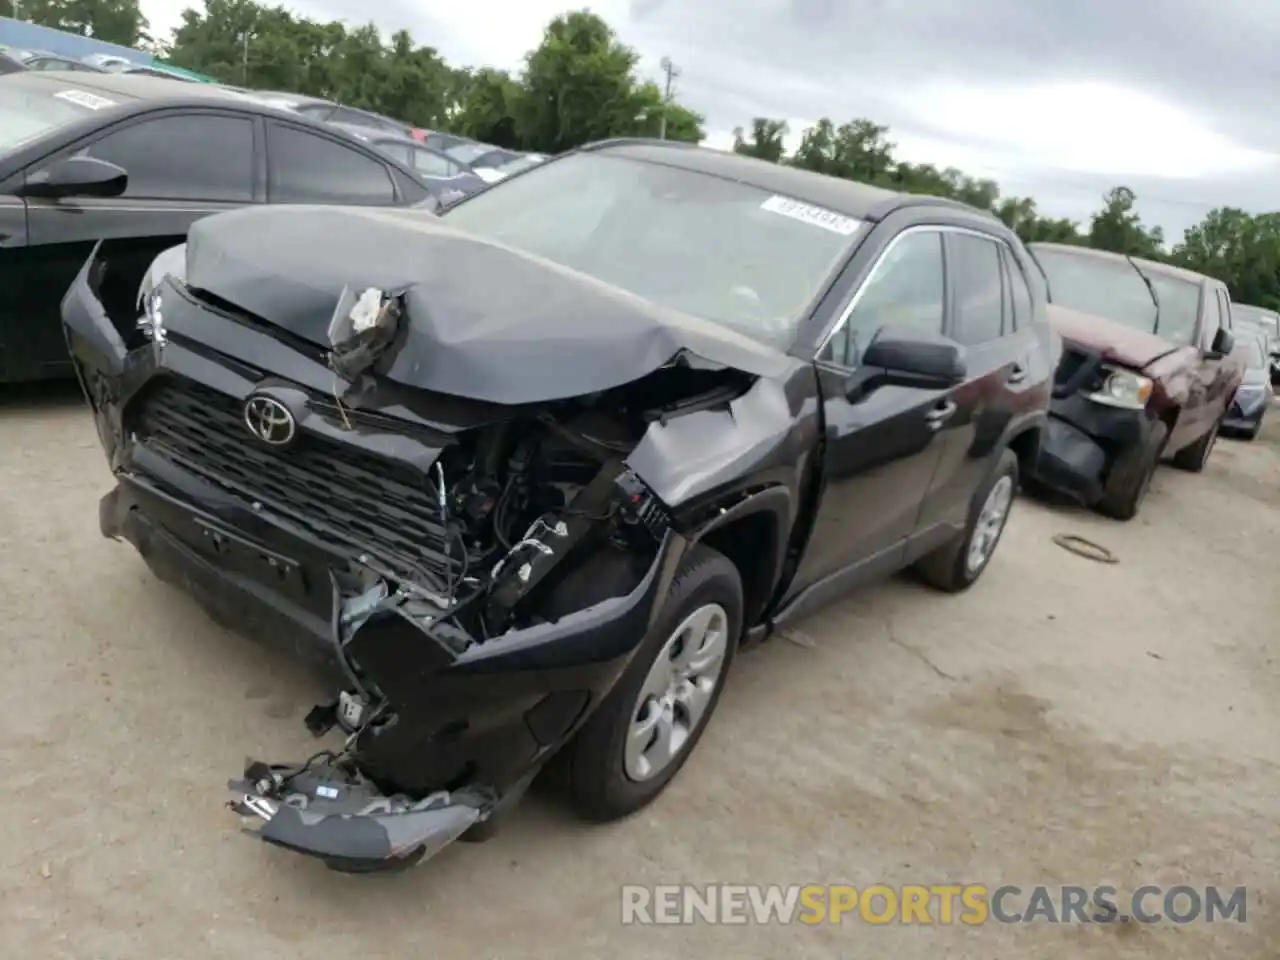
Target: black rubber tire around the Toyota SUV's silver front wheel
point(600, 774)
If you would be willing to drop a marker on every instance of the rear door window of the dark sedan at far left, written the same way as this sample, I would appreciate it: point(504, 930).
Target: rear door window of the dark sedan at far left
point(309, 170)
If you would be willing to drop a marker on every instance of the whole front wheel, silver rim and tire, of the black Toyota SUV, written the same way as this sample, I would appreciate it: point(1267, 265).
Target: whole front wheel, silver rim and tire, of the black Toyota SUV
point(641, 737)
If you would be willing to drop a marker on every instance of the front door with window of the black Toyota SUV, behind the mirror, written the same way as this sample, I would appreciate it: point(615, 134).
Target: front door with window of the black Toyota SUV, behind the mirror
point(883, 449)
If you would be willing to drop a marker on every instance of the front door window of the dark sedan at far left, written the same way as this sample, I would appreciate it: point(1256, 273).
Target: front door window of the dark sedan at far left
point(194, 157)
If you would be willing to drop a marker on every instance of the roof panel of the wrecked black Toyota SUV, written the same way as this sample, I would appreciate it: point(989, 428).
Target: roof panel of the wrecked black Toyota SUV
point(848, 198)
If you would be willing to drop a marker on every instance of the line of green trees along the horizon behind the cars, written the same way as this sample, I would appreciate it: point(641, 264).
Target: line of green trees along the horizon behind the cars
point(582, 84)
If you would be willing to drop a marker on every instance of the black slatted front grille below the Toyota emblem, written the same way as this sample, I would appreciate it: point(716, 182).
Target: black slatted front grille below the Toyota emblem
point(340, 493)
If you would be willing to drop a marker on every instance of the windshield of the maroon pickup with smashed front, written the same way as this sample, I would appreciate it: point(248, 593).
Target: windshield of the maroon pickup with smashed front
point(1099, 286)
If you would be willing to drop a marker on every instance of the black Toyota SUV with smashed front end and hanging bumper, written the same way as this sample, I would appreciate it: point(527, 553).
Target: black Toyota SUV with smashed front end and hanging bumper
point(525, 477)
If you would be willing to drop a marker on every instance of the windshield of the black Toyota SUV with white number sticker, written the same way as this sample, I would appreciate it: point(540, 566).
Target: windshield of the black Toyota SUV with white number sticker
point(698, 244)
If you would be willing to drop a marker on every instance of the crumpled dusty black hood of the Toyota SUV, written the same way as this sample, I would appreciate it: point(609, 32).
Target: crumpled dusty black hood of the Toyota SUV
point(483, 321)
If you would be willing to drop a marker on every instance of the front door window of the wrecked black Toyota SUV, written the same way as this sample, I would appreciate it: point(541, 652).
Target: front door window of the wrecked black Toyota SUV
point(906, 290)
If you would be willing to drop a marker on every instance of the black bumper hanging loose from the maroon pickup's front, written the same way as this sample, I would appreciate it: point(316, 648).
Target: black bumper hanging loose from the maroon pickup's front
point(1081, 442)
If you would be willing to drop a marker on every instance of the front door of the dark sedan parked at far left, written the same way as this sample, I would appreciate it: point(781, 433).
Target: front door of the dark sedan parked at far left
point(182, 166)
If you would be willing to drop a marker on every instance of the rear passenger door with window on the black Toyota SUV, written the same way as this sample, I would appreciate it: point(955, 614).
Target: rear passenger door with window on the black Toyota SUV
point(984, 319)
